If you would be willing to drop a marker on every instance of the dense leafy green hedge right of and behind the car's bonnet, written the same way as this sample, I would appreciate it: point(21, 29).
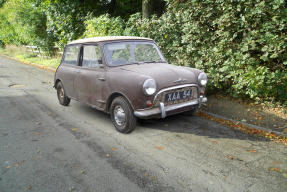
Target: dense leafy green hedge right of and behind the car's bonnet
point(242, 45)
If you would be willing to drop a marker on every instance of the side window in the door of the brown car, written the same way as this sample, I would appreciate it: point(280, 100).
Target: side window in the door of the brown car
point(91, 56)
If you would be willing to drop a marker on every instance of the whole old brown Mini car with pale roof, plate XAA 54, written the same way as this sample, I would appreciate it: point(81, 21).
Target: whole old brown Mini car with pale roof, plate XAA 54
point(129, 78)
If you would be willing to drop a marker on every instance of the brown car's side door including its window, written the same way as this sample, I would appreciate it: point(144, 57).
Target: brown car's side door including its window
point(91, 77)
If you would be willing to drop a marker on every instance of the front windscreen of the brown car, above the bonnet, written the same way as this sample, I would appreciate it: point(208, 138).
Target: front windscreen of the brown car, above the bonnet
point(132, 52)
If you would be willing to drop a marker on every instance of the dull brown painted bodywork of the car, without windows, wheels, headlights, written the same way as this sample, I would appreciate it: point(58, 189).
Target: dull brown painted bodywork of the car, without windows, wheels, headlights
point(98, 86)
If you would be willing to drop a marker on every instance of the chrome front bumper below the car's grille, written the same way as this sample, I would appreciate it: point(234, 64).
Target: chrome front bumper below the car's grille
point(163, 109)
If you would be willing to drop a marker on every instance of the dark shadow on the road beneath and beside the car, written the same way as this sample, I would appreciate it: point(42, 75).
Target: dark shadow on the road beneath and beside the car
point(181, 123)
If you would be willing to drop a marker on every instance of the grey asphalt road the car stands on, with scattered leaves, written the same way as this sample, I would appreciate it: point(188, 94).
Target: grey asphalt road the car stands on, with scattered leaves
point(48, 147)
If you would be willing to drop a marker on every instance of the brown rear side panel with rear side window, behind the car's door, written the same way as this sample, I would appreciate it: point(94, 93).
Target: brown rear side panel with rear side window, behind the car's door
point(69, 69)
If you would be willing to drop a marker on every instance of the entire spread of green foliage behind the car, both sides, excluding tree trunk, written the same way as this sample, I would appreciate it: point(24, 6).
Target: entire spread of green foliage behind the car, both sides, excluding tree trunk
point(240, 44)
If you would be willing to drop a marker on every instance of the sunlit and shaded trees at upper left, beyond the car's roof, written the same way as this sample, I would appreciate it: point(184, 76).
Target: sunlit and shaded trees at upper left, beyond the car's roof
point(49, 23)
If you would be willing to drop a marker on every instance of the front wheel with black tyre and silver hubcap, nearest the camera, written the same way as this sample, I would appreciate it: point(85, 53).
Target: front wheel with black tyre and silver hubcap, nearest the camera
point(122, 115)
